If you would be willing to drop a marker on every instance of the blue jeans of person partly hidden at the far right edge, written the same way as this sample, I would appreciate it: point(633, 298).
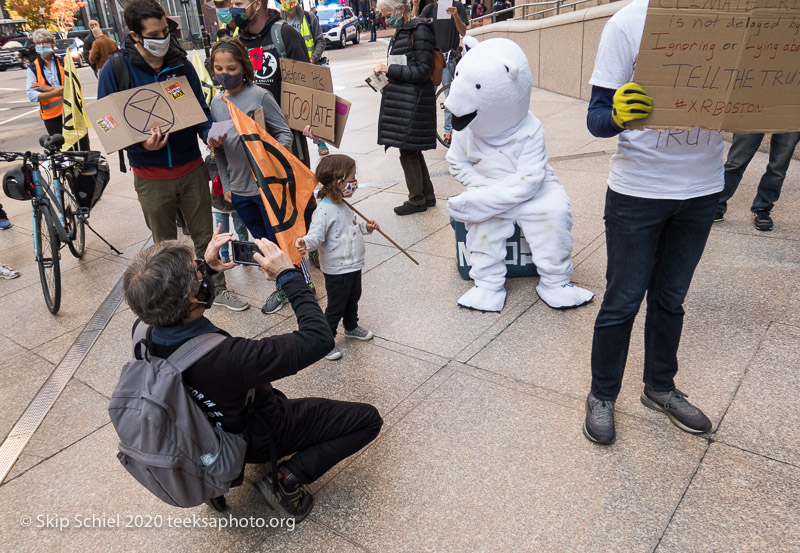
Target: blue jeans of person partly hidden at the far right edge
point(743, 148)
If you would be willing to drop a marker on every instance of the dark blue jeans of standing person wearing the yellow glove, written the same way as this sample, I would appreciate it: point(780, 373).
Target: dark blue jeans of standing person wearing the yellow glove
point(653, 247)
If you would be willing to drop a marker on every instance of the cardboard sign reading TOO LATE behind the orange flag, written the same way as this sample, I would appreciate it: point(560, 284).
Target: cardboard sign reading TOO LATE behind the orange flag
point(307, 98)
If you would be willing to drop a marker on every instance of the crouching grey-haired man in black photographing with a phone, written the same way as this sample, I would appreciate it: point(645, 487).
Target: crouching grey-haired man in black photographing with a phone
point(168, 289)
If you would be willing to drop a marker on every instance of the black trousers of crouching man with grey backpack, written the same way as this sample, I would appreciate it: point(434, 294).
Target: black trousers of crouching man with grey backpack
point(319, 433)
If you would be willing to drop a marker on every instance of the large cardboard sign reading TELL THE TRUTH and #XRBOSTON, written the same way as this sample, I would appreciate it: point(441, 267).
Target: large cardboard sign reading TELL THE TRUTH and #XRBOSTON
point(729, 65)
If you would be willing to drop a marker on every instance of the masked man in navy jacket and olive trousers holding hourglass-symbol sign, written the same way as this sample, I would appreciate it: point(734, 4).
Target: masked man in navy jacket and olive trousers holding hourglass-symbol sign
point(168, 170)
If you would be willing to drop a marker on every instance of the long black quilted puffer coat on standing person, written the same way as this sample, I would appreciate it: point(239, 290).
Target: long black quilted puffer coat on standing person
point(408, 105)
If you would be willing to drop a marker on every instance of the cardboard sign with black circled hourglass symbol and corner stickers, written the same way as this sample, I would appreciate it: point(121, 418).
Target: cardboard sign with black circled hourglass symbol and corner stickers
point(127, 117)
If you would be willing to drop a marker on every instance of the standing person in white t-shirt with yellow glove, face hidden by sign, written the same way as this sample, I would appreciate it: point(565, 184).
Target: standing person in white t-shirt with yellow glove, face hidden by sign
point(663, 191)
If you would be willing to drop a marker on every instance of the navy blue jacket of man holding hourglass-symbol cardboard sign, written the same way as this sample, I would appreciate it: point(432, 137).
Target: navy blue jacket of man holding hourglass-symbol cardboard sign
point(182, 145)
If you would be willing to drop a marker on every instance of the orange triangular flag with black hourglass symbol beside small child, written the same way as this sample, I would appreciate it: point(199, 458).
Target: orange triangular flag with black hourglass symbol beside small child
point(285, 183)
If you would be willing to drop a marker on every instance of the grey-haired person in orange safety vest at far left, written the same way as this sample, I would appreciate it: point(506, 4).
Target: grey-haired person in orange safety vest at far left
point(45, 84)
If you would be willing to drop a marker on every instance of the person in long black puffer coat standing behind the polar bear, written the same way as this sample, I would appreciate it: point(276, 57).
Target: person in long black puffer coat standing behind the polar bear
point(408, 106)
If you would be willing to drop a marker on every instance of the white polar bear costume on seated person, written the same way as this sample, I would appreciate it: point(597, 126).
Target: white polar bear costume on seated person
point(498, 154)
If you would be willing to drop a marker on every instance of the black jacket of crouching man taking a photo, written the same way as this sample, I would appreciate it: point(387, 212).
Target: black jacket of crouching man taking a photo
point(225, 374)
